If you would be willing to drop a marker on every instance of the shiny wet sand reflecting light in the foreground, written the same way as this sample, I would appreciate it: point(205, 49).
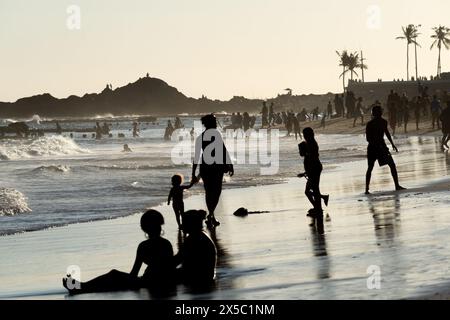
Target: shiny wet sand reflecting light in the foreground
point(276, 255)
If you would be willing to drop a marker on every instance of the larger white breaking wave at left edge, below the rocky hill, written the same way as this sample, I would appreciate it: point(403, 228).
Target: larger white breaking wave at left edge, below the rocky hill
point(44, 146)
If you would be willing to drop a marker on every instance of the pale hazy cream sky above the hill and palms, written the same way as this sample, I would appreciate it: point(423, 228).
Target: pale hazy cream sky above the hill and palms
point(254, 48)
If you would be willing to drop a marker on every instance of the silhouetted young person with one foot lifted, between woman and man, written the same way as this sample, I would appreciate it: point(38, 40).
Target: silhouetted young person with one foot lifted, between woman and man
point(309, 149)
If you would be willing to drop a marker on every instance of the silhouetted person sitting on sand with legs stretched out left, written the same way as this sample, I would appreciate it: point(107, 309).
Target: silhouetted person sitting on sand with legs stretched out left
point(156, 252)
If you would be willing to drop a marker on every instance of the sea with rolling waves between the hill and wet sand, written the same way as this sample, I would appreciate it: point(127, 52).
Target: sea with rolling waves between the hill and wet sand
point(55, 180)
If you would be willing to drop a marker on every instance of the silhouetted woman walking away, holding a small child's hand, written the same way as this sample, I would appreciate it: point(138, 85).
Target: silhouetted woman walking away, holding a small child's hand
point(214, 160)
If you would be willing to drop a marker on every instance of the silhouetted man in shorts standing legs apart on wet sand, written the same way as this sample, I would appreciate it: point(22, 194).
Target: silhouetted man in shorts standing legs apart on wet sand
point(377, 149)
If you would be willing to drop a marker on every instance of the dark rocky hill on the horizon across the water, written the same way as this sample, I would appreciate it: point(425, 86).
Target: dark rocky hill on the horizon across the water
point(146, 96)
